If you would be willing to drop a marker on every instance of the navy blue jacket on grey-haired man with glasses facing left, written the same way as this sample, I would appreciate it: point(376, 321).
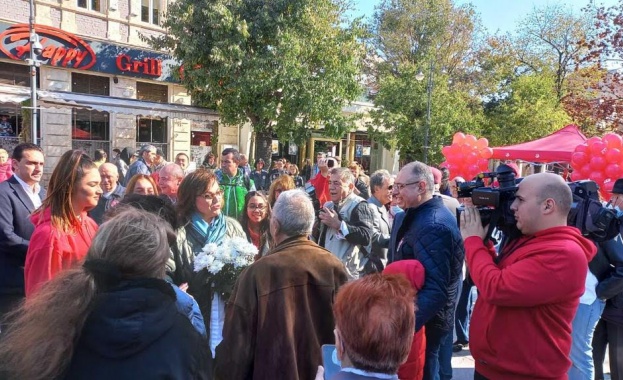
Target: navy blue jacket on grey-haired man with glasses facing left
point(430, 234)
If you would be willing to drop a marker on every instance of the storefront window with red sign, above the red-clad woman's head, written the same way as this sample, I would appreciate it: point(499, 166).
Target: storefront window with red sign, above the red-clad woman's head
point(90, 130)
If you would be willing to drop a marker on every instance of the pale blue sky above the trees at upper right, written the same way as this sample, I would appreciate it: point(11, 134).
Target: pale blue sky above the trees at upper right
point(496, 15)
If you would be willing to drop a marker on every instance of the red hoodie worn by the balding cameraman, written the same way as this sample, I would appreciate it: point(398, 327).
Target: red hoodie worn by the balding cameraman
point(521, 325)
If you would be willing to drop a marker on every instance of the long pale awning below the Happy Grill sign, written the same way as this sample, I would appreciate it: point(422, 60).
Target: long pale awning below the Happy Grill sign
point(57, 99)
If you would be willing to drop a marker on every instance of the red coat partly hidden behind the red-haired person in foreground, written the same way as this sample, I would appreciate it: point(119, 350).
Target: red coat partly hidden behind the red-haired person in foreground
point(413, 368)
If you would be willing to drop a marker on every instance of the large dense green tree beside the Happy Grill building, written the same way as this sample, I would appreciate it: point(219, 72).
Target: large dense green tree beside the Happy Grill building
point(286, 66)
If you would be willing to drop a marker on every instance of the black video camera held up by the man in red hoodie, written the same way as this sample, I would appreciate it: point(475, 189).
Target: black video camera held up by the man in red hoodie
point(493, 203)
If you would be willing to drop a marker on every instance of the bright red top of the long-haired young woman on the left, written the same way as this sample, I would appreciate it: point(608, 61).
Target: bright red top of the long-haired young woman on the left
point(51, 250)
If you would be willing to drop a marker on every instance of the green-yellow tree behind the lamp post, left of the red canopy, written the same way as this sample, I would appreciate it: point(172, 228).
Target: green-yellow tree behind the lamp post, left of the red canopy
point(434, 37)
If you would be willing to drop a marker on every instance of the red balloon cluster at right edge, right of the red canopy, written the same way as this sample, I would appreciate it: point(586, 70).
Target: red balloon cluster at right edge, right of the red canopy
point(599, 159)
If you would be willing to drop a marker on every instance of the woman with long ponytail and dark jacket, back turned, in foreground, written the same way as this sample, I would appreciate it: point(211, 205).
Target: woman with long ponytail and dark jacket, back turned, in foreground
point(114, 317)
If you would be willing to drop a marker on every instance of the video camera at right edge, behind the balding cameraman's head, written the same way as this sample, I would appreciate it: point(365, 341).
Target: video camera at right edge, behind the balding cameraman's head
point(597, 222)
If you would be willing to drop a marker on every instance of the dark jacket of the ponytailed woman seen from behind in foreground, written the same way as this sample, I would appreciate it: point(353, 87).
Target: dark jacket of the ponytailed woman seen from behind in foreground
point(136, 332)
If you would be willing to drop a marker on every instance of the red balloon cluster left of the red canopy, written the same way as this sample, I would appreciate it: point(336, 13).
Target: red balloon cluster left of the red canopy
point(467, 156)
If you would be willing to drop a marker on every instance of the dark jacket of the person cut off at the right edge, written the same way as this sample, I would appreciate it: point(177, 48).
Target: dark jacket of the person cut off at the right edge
point(609, 260)
